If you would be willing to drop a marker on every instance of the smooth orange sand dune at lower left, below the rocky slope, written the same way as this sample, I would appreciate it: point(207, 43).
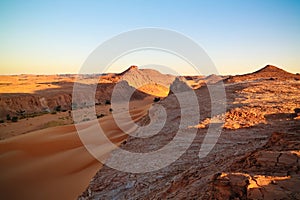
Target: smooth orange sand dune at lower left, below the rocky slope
point(53, 163)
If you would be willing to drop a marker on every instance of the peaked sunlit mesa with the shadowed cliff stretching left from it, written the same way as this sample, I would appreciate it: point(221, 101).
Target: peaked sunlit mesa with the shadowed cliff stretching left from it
point(60, 94)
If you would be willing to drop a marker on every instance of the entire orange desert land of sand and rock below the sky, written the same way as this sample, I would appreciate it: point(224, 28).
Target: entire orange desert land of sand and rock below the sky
point(256, 155)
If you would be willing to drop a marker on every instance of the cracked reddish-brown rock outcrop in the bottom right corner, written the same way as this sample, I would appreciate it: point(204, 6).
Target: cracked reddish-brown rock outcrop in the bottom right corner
point(271, 172)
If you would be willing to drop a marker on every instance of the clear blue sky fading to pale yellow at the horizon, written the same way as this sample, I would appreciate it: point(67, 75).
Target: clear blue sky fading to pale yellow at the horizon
point(56, 37)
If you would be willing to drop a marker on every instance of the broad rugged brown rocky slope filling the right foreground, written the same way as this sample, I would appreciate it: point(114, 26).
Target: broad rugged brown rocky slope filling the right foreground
point(256, 153)
